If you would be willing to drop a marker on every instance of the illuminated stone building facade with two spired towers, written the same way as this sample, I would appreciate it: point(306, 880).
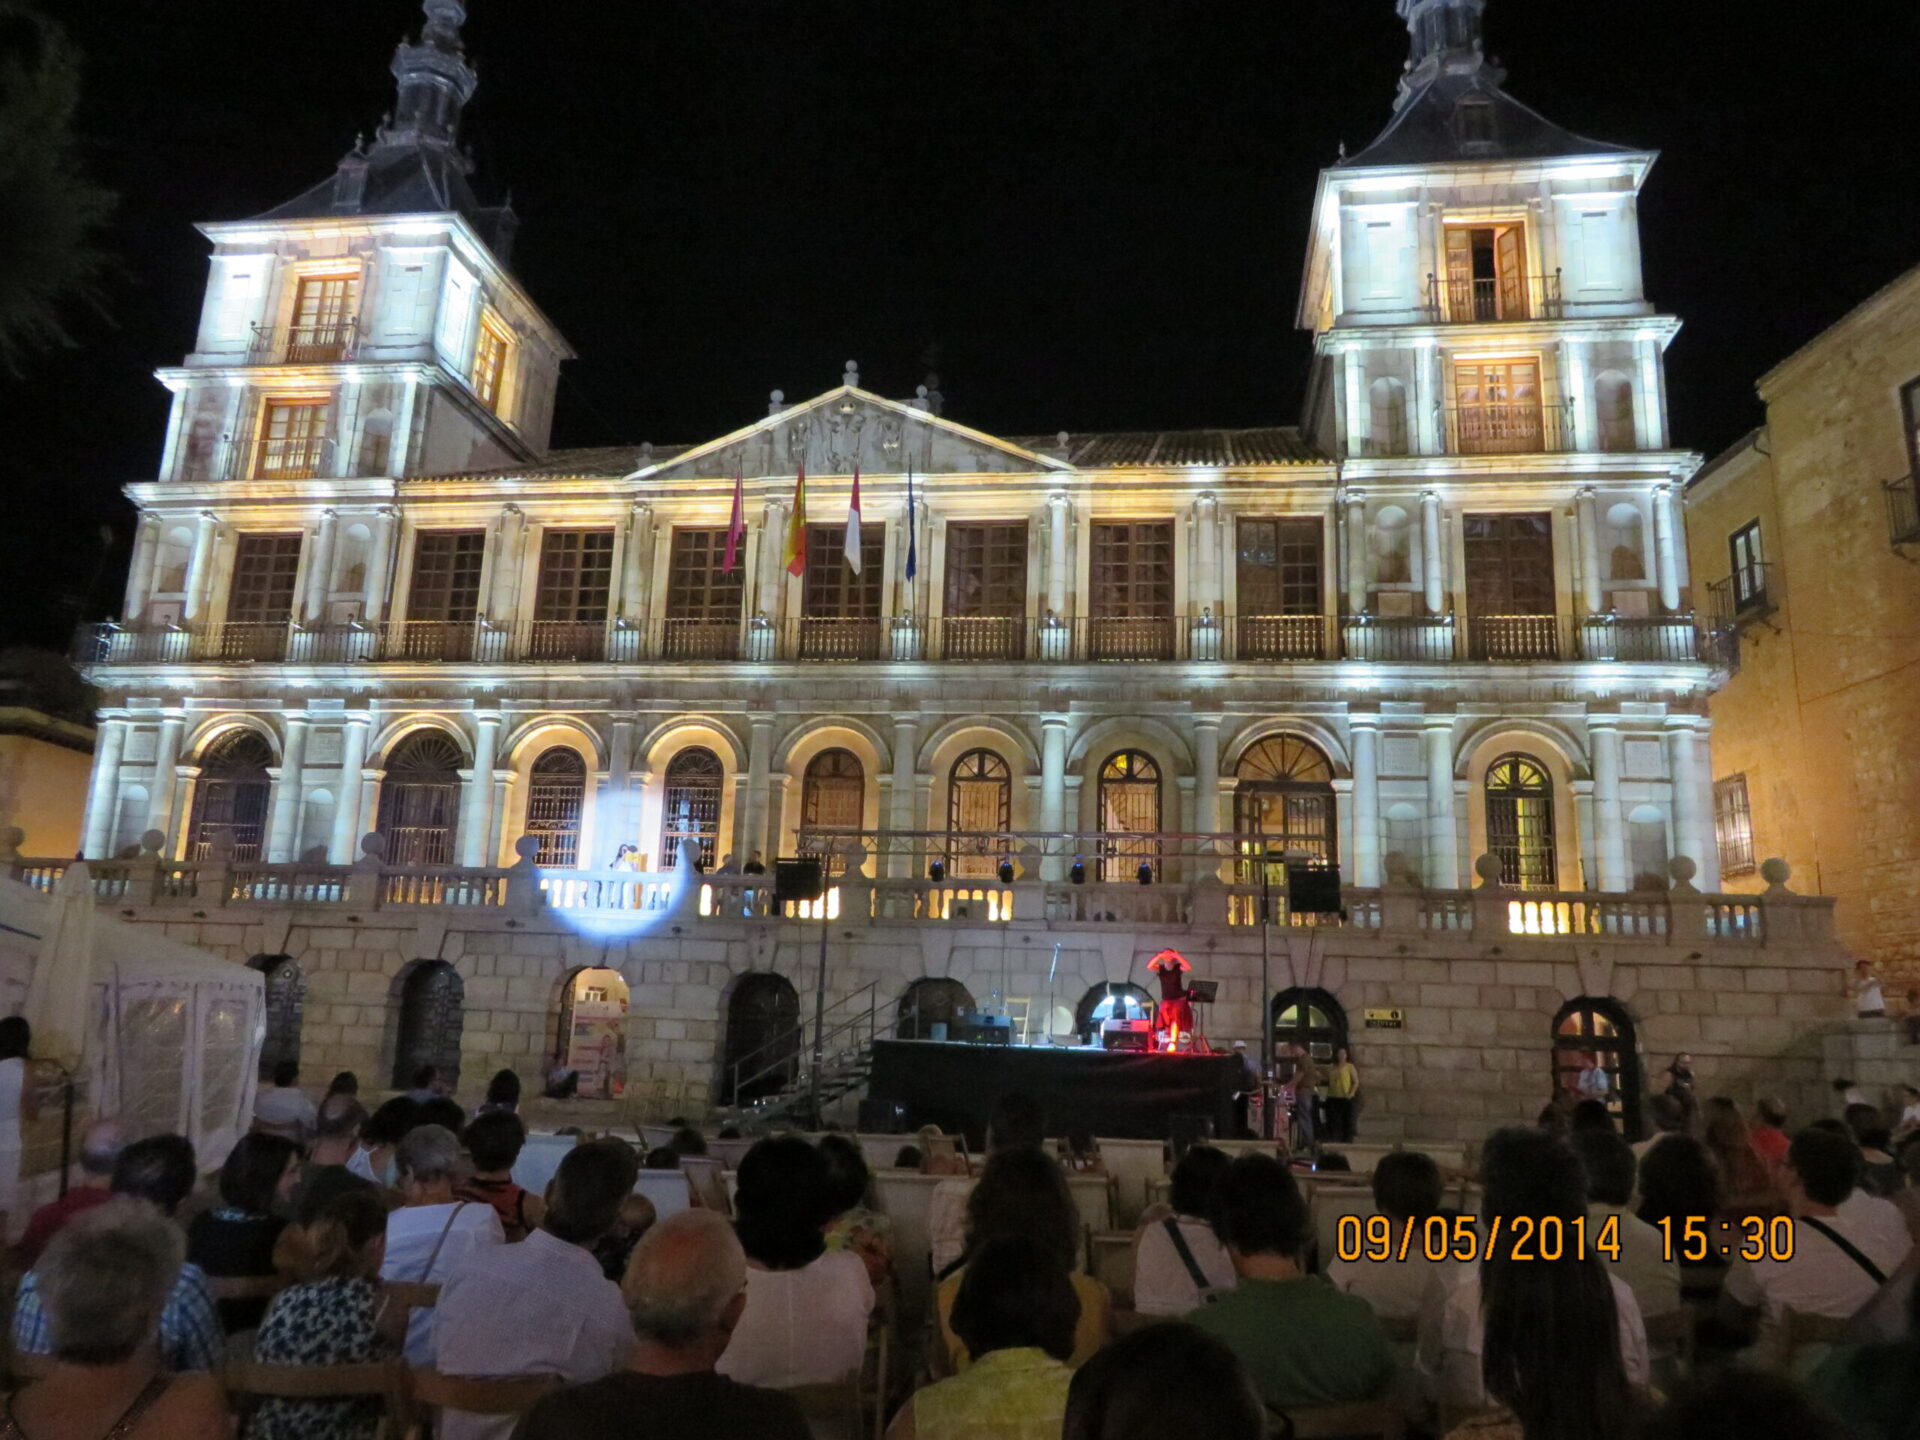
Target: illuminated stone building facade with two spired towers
point(1443, 631)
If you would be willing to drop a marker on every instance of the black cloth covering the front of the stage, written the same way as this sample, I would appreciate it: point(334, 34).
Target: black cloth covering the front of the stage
point(1130, 1097)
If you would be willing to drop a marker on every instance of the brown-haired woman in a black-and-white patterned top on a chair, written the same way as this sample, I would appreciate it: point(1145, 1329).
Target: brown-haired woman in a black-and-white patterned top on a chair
point(329, 1318)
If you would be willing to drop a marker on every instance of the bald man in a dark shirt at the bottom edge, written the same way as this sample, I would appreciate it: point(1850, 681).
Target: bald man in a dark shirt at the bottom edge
point(686, 1293)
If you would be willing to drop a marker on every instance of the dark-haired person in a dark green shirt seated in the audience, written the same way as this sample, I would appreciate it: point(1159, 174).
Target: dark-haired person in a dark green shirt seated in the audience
point(1303, 1341)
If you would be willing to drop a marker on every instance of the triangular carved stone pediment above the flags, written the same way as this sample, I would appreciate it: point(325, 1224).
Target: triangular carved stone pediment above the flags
point(850, 427)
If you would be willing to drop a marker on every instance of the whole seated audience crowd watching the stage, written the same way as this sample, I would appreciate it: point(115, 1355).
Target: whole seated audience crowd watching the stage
point(1739, 1278)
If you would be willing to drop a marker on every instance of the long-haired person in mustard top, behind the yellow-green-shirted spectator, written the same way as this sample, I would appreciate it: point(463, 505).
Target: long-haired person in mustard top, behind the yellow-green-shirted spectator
point(1024, 1191)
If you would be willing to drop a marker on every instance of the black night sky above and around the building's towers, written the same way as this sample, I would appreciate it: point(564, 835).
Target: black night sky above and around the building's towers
point(1084, 214)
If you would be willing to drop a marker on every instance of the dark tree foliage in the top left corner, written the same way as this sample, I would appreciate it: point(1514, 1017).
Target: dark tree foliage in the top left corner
point(51, 210)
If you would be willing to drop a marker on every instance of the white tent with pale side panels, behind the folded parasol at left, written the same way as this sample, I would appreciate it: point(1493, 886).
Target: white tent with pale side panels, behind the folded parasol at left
point(176, 1032)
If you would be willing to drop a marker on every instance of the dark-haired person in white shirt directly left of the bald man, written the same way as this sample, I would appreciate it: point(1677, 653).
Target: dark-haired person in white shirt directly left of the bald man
point(540, 1307)
